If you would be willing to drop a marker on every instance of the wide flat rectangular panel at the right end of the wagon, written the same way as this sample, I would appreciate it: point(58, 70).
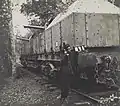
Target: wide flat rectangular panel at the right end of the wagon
point(102, 30)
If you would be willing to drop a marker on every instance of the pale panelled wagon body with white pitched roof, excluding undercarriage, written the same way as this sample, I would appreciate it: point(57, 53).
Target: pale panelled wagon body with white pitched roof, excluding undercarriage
point(91, 23)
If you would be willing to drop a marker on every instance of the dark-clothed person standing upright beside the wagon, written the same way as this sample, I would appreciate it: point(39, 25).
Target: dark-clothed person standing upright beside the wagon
point(65, 74)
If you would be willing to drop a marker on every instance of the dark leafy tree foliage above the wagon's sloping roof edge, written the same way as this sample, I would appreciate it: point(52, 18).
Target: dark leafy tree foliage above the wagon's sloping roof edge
point(41, 10)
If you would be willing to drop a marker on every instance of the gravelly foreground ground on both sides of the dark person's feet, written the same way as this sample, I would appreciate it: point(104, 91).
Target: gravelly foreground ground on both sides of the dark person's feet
point(32, 90)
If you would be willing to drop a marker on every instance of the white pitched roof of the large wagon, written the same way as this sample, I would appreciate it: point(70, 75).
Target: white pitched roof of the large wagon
point(87, 6)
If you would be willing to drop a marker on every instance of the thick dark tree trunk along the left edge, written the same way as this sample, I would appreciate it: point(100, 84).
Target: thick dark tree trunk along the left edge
point(5, 37)
